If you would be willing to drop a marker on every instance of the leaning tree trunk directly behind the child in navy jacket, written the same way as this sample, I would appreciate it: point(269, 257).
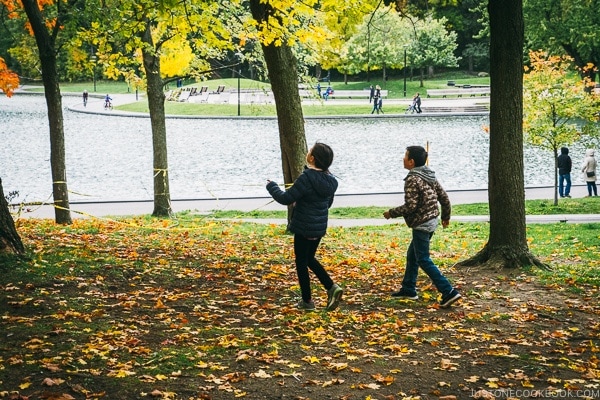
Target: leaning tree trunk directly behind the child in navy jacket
point(283, 75)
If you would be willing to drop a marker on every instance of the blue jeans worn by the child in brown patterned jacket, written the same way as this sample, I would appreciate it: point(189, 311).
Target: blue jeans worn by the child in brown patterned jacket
point(418, 256)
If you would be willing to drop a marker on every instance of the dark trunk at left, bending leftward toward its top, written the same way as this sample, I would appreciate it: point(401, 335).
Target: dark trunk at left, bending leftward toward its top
point(46, 47)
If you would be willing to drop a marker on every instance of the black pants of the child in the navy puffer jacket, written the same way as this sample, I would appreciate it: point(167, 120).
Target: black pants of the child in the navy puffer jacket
point(305, 250)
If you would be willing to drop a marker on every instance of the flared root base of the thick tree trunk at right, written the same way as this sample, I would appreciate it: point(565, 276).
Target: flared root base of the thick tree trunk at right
point(502, 257)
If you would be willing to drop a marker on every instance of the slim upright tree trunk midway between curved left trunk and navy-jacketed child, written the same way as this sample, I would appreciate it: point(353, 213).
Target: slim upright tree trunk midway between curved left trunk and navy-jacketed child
point(156, 105)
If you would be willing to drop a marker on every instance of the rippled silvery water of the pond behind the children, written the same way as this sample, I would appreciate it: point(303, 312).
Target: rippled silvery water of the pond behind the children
point(110, 158)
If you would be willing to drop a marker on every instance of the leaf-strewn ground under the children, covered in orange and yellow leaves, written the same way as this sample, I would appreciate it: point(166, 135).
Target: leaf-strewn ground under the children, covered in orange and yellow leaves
point(201, 309)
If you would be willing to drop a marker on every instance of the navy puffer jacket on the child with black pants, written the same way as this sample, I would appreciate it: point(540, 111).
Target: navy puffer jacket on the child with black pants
point(312, 193)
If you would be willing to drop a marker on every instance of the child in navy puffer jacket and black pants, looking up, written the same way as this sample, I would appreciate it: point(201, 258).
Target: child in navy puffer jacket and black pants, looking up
point(312, 196)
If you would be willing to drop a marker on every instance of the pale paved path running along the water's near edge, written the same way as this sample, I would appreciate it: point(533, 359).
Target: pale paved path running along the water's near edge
point(105, 209)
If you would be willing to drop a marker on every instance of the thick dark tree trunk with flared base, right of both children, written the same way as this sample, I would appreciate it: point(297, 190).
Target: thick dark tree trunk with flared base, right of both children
point(507, 245)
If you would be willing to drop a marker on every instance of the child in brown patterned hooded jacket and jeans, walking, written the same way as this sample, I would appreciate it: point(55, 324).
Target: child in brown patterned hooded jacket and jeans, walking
point(420, 211)
